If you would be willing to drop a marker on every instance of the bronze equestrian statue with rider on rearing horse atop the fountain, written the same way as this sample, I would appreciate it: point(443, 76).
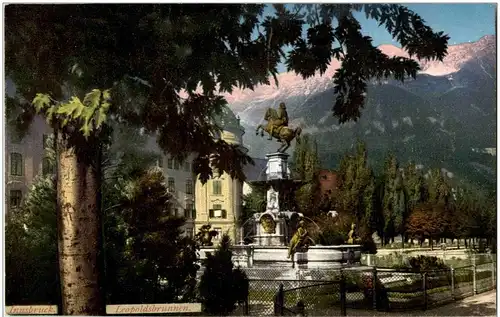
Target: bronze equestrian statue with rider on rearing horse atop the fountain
point(277, 127)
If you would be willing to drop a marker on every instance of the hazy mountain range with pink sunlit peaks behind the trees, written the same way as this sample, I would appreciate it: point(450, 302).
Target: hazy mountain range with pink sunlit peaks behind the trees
point(444, 118)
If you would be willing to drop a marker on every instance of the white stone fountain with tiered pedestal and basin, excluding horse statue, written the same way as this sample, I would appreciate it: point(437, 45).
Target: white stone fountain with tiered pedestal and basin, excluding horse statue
point(274, 227)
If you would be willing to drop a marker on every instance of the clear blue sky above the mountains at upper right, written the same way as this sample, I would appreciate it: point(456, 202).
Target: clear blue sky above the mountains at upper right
point(463, 22)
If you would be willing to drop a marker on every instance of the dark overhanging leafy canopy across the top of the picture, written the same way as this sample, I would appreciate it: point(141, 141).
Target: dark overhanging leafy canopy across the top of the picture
point(155, 52)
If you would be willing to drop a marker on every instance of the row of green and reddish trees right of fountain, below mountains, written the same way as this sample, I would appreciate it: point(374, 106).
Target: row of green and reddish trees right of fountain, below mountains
point(406, 202)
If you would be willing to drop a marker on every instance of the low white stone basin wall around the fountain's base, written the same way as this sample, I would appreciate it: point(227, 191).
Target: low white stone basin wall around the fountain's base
point(277, 256)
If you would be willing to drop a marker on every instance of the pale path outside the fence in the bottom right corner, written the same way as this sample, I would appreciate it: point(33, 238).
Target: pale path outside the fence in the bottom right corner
point(480, 305)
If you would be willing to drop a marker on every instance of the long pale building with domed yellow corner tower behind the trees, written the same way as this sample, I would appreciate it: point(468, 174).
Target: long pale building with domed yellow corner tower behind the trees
point(218, 202)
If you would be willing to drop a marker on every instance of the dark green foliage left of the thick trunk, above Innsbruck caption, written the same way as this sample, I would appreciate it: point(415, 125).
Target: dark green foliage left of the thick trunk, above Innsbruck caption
point(31, 268)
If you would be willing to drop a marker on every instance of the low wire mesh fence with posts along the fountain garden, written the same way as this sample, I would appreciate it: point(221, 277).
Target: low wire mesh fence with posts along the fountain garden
point(338, 292)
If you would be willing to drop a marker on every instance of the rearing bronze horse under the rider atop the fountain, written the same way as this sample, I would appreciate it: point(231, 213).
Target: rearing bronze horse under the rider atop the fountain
point(283, 134)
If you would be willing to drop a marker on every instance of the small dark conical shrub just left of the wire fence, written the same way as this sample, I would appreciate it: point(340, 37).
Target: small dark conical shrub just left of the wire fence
point(221, 286)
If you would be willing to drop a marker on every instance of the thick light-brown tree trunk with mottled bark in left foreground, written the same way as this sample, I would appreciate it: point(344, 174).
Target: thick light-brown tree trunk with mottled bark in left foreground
point(79, 234)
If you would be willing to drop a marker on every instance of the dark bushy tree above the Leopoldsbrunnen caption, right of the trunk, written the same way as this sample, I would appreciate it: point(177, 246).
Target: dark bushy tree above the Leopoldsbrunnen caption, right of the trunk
point(156, 263)
